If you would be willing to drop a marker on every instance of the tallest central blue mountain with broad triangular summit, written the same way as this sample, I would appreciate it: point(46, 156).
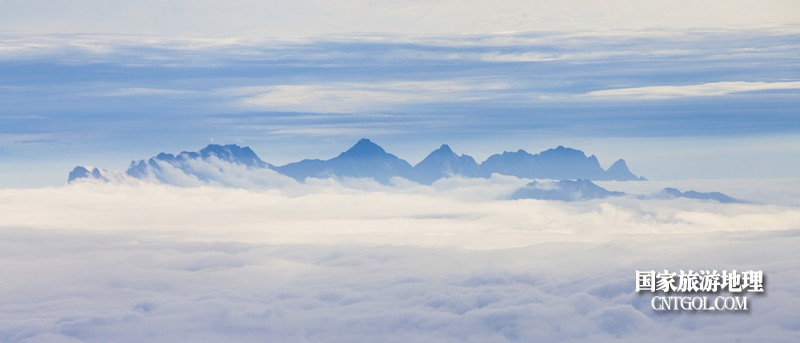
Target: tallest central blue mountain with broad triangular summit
point(365, 159)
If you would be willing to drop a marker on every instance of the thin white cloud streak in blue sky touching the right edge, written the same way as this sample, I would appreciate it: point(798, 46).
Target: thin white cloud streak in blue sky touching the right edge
point(705, 89)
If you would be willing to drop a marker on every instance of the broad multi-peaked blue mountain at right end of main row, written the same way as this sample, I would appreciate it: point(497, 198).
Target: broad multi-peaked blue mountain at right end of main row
point(558, 163)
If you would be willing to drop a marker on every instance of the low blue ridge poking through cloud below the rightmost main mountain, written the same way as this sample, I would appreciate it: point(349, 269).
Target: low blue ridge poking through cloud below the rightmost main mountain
point(564, 190)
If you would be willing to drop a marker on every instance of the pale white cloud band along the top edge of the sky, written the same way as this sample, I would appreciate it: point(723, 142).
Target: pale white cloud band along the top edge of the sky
point(306, 17)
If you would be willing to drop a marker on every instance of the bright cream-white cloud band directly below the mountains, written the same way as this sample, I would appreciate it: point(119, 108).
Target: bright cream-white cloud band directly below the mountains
point(465, 212)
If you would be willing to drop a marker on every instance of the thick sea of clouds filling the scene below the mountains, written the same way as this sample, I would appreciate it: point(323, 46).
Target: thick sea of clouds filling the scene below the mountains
point(356, 261)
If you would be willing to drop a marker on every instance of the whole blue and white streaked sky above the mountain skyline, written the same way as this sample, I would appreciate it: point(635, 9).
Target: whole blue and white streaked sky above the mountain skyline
point(680, 89)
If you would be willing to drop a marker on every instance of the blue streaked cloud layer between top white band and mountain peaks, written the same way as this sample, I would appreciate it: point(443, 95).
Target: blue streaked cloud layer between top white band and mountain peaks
point(91, 98)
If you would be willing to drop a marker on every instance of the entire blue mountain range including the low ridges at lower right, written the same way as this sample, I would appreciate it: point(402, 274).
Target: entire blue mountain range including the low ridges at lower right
point(560, 173)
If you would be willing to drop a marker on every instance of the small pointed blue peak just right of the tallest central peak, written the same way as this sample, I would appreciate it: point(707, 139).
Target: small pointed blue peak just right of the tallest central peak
point(443, 162)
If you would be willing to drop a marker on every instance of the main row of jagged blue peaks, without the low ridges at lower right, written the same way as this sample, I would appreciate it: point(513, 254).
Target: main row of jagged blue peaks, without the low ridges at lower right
point(366, 159)
